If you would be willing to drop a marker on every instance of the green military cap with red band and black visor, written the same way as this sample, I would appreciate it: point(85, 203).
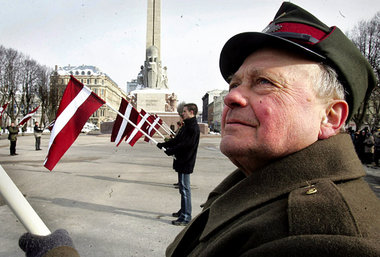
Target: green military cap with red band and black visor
point(295, 29)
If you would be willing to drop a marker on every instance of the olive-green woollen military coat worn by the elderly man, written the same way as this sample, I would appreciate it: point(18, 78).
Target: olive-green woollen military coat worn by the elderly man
point(310, 203)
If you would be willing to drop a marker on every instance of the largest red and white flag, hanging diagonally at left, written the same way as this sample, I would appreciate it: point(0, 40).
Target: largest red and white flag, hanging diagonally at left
point(77, 105)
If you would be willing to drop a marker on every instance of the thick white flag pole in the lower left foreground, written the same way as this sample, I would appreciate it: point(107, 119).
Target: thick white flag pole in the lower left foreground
point(20, 206)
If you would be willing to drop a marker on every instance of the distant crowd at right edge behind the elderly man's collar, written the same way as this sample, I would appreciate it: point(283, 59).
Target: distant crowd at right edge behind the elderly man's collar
point(367, 145)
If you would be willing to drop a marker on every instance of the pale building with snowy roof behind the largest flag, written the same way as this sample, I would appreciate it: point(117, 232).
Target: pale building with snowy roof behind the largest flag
point(100, 83)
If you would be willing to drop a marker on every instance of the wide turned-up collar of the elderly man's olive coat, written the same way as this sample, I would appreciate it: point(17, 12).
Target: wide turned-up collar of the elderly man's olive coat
point(333, 158)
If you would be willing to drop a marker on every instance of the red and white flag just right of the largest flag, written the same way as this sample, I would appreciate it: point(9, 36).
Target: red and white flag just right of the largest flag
point(122, 127)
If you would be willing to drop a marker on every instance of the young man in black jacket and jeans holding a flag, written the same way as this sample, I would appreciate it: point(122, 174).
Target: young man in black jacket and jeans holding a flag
point(184, 148)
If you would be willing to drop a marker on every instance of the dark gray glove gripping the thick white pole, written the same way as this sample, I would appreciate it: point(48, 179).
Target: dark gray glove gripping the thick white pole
point(37, 246)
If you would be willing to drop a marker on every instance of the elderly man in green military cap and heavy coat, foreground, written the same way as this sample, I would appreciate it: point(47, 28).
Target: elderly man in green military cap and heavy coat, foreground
point(298, 189)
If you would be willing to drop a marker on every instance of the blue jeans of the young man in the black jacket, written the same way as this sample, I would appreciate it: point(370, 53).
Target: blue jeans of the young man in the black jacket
point(185, 191)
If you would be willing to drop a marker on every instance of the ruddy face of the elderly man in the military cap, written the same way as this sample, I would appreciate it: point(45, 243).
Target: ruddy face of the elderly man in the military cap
point(271, 109)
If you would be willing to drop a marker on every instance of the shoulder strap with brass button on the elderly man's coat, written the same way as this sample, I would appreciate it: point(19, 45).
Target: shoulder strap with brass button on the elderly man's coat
point(320, 209)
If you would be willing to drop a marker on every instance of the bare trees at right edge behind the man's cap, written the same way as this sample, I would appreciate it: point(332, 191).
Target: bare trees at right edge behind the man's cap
point(366, 36)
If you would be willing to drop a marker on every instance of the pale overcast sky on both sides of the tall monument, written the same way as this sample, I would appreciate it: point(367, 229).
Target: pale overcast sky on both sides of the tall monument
point(111, 34)
